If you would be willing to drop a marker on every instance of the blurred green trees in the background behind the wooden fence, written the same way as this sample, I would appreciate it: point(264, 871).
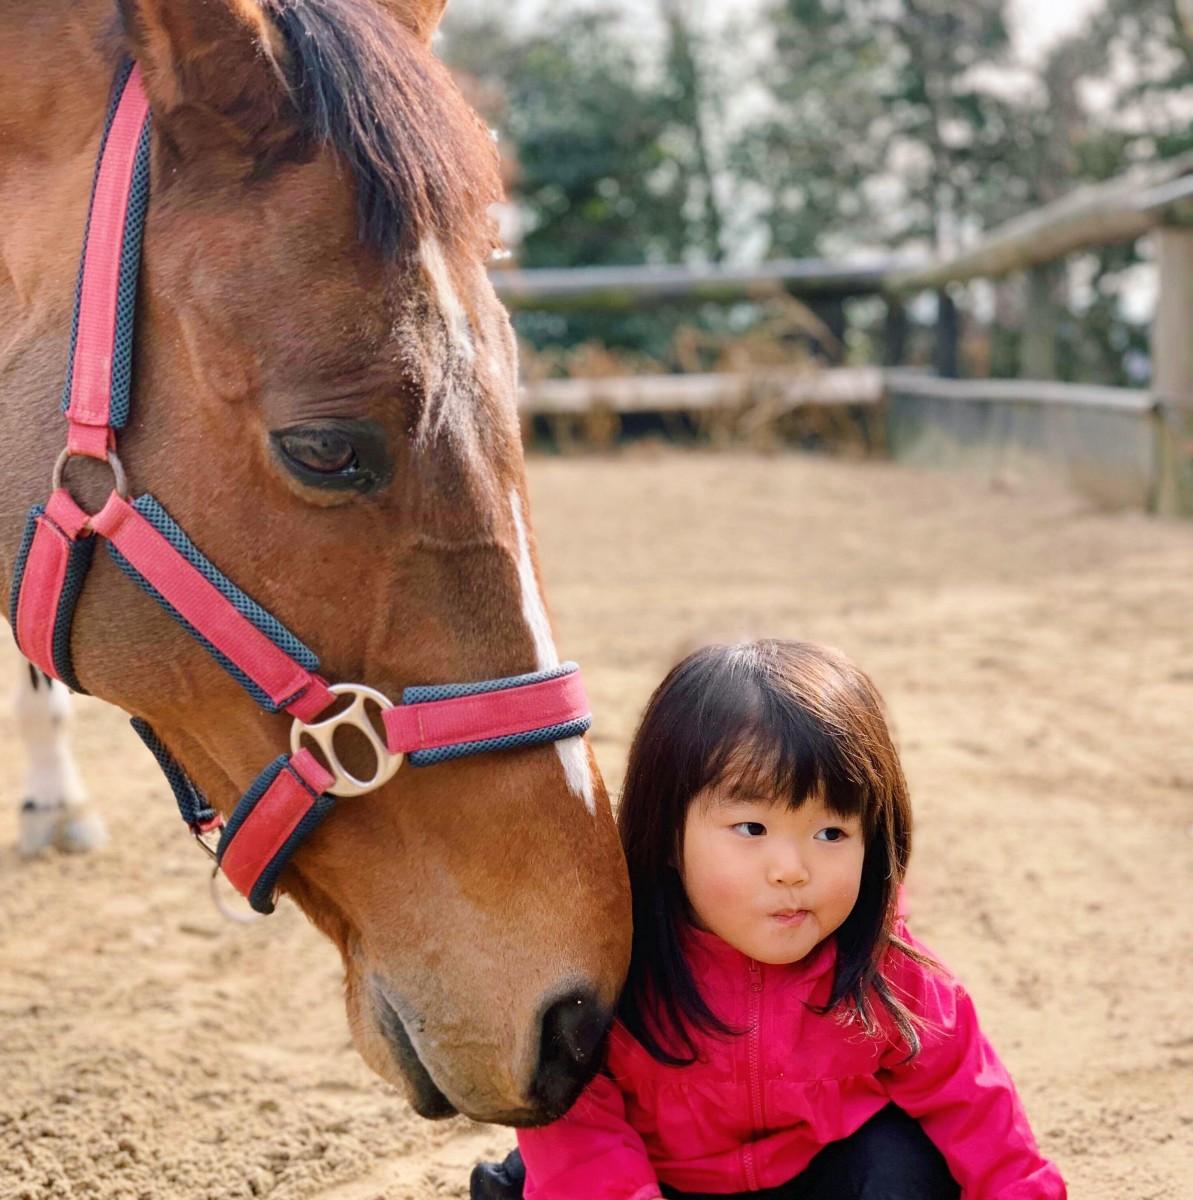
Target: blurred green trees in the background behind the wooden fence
point(867, 125)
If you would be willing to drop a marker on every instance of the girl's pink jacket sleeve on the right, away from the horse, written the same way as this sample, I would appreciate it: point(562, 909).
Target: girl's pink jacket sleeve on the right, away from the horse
point(962, 1095)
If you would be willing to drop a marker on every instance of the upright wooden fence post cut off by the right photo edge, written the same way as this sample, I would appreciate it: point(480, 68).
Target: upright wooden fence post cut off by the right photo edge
point(1173, 367)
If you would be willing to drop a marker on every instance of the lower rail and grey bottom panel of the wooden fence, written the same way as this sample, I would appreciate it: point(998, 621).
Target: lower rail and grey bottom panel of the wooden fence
point(1105, 442)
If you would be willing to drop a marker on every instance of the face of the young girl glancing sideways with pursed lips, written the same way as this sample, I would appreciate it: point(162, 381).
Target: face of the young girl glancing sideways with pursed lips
point(770, 880)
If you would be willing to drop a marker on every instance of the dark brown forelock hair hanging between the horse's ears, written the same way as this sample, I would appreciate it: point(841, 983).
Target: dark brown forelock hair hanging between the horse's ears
point(423, 163)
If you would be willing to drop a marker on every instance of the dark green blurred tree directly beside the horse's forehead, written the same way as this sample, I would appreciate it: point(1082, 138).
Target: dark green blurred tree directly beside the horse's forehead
point(612, 155)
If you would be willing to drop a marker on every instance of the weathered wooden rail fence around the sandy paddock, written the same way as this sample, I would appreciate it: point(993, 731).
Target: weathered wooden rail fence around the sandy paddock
point(1158, 457)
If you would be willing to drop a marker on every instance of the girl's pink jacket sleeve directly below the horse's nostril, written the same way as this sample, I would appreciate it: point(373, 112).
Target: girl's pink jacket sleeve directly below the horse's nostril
point(590, 1154)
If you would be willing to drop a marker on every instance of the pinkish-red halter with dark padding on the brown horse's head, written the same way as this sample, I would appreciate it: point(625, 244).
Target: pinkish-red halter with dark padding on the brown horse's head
point(292, 796)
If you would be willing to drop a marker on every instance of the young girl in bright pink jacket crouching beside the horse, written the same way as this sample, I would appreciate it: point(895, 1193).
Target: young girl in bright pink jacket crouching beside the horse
point(782, 1035)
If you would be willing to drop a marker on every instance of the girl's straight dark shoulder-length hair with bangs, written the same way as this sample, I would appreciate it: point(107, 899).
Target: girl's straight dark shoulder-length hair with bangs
point(792, 719)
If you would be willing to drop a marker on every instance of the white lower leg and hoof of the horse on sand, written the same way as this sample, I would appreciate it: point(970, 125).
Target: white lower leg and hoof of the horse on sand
point(56, 811)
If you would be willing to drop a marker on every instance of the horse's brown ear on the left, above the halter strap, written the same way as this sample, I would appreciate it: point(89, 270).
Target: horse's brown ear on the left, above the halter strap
point(211, 68)
